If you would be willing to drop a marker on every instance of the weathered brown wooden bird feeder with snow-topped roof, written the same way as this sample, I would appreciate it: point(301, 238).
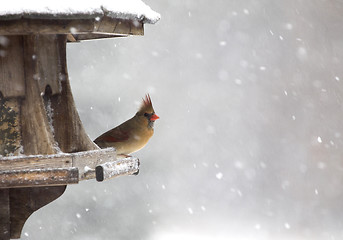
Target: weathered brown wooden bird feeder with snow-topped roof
point(43, 145)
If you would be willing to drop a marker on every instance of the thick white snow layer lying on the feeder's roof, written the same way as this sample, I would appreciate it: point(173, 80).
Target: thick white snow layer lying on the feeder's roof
point(119, 9)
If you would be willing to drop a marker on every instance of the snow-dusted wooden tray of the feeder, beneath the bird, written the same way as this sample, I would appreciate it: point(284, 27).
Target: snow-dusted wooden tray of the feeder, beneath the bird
point(64, 168)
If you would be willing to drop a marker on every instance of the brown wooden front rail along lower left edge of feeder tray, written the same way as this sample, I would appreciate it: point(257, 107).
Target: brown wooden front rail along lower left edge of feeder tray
point(39, 177)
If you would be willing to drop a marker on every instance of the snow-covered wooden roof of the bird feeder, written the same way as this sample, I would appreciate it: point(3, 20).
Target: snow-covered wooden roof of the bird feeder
point(82, 20)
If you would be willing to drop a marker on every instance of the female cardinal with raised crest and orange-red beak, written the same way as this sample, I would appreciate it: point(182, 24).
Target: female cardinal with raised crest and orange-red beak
point(133, 134)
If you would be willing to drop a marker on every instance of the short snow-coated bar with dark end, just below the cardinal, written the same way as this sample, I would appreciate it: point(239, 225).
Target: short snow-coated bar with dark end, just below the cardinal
point(122, 167)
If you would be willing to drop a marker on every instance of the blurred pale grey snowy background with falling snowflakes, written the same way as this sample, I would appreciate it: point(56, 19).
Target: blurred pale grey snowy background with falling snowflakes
point(249, 143)
